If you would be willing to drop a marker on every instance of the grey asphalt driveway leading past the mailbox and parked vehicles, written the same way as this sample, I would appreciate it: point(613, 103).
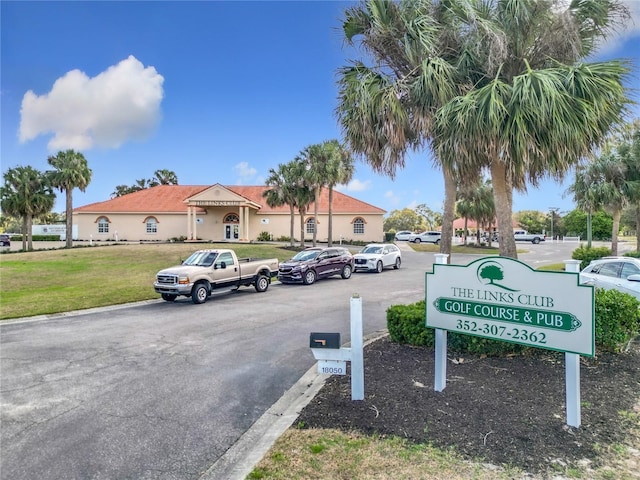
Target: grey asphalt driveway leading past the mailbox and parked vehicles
point(162, 390)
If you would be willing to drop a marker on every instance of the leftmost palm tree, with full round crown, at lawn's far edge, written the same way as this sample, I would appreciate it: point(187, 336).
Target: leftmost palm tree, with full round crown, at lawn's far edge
point(26, 193)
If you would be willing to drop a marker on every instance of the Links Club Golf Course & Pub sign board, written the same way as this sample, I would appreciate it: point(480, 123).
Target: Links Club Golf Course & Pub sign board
point(504, 299)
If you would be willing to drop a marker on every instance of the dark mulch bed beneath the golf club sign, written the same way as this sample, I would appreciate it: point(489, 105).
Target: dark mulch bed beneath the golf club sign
point(505, 411)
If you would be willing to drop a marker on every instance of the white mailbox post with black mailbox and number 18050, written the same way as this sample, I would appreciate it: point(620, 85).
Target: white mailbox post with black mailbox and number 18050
point(332, 358)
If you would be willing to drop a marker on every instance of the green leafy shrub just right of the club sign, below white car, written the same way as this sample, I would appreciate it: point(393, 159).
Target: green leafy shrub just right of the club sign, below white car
point(617, 319)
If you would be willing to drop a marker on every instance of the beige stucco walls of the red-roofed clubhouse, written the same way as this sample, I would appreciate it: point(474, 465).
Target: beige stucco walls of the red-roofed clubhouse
point(210, 226)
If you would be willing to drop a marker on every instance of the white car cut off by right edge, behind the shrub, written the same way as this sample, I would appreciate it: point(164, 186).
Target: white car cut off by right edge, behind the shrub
point(620, 273)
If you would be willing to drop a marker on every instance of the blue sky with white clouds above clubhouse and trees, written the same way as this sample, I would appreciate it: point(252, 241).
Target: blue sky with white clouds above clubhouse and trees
point(218, 92)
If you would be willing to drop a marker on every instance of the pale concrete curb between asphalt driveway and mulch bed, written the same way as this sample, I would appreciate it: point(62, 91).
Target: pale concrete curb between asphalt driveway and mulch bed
point(238, 462)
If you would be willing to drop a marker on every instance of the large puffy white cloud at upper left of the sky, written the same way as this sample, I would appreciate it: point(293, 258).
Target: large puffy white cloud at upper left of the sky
point(117, 105)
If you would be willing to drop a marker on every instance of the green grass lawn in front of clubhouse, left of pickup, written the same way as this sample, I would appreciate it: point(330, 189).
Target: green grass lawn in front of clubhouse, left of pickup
point(54, 281)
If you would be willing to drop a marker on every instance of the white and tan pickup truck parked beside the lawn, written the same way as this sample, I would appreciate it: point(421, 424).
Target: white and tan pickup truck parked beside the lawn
point(207, 270)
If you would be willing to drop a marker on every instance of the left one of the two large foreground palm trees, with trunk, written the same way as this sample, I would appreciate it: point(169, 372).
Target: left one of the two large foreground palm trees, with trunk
point(388, 109)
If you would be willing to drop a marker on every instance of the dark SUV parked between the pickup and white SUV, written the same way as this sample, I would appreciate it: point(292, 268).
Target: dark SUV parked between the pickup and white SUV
point(315, 263)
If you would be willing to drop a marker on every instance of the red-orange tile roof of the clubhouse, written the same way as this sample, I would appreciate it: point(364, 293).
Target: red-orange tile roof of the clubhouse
point(171, 199)
